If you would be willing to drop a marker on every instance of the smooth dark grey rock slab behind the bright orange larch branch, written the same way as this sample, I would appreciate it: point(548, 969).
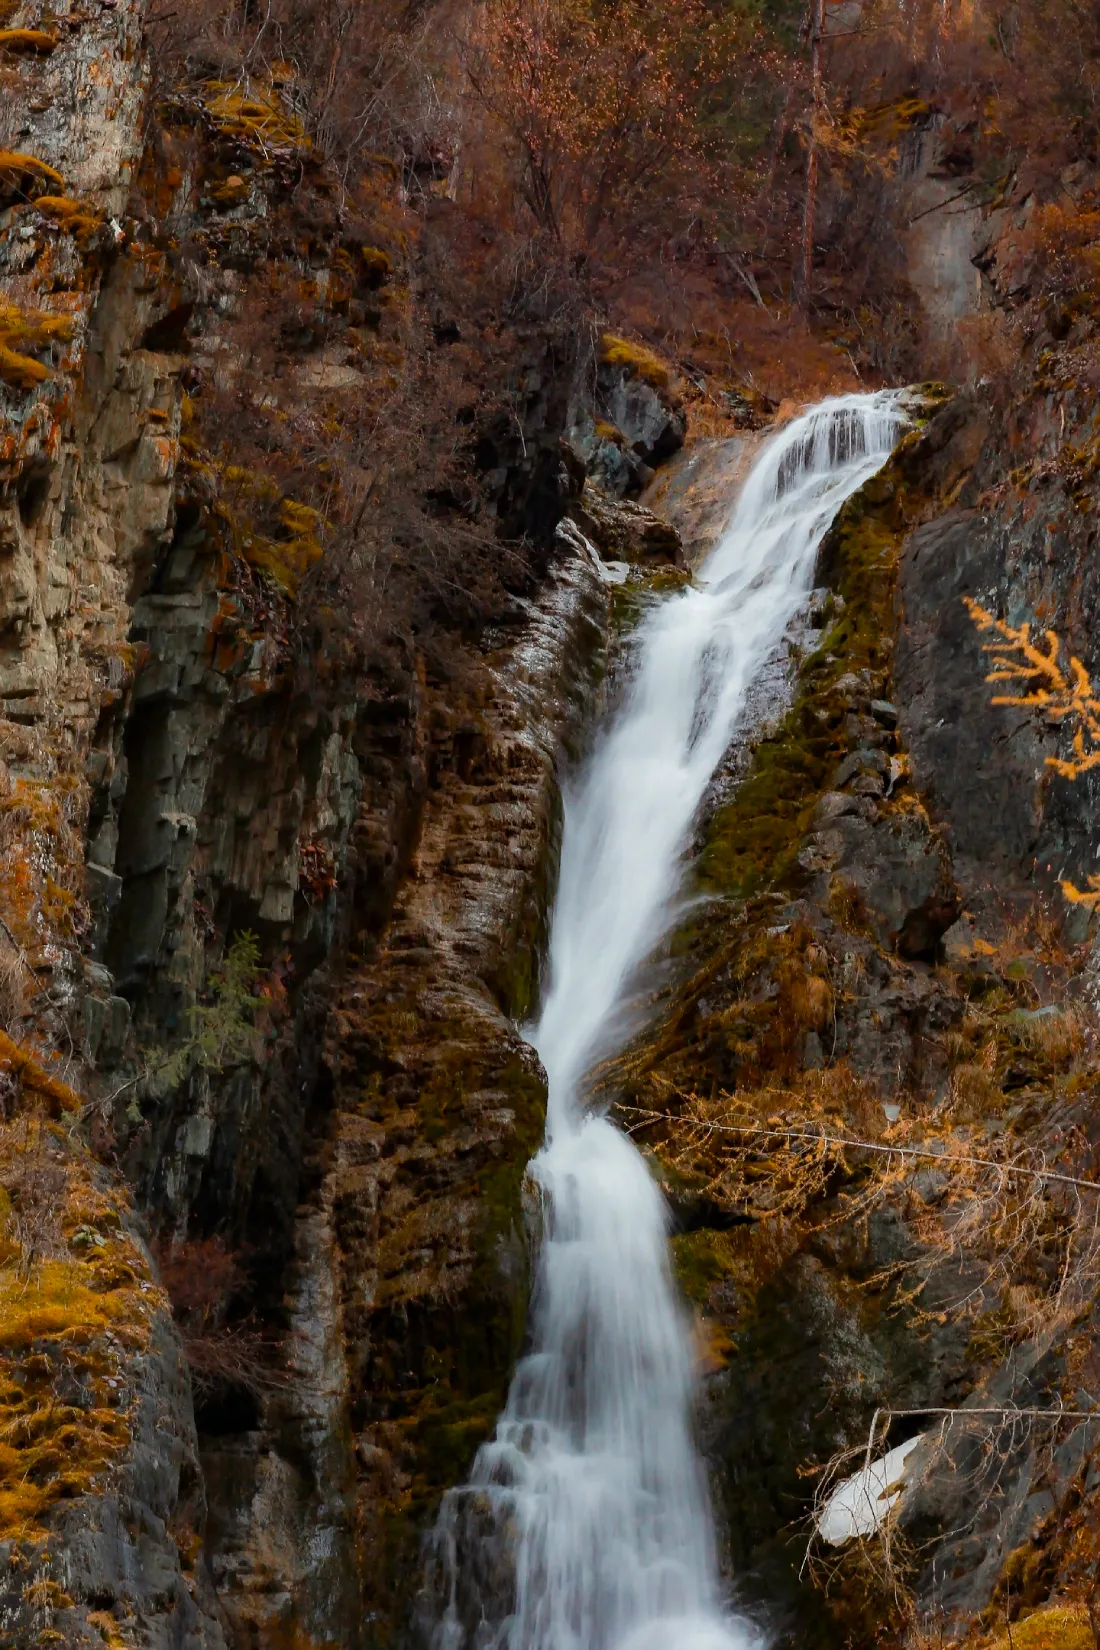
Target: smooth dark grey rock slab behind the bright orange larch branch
point(1010, 818)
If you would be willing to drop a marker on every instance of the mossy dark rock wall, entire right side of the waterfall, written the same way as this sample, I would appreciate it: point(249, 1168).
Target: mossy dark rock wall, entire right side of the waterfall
point(881, 882)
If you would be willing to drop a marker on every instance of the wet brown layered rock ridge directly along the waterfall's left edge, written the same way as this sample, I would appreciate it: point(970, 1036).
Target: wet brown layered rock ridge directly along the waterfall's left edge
point(407, 1293)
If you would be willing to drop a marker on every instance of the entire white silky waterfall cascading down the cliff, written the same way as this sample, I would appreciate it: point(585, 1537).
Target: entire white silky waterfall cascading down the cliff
point(586, 1520)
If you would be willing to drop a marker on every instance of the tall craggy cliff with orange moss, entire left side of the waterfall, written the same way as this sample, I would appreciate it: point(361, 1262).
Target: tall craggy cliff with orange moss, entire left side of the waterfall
point(187, 760)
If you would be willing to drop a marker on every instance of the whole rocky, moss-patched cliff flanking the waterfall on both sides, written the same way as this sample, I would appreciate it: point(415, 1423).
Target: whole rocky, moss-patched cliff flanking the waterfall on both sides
point(280, 819)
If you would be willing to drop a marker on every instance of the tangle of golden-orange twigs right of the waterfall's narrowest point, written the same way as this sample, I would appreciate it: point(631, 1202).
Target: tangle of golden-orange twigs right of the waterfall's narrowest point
point(999, 1232)
